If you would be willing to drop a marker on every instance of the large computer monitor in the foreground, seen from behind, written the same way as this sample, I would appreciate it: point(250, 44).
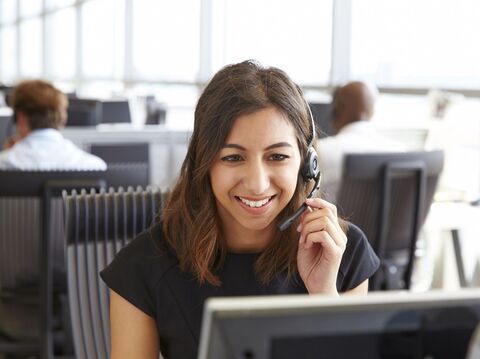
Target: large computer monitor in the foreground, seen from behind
point(380, 325)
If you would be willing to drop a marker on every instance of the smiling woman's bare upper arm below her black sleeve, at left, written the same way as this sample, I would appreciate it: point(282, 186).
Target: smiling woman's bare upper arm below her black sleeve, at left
point(133, 333)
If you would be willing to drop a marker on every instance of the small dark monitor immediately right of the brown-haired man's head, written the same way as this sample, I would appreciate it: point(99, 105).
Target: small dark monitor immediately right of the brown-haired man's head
point(83, 112)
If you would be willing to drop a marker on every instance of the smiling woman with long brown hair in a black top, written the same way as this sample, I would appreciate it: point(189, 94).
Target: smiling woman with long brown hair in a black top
point(218, 235)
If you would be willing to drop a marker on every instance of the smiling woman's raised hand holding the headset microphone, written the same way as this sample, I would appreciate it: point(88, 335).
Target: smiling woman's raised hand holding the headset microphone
point(320, 248)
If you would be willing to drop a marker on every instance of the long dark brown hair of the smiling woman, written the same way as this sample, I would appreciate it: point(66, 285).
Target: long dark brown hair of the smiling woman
point(190, 219)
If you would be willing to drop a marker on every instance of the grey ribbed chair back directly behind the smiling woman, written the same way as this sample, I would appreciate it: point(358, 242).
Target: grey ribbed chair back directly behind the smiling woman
point(98, 225)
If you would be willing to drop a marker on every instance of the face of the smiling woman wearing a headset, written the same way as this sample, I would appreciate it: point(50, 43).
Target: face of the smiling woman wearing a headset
point(255, 173)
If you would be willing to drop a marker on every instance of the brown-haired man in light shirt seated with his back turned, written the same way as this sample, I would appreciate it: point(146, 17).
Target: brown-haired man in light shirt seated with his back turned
point(40, 111)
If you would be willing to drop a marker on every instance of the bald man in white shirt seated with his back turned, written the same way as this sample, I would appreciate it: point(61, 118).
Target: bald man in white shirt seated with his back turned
point(353, 108)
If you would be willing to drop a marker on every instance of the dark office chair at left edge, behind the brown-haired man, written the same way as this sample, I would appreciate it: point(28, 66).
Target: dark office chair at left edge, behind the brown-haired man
point(32, 246)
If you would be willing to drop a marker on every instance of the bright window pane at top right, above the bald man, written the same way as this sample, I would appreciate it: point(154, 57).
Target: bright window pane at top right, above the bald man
point(416, 43)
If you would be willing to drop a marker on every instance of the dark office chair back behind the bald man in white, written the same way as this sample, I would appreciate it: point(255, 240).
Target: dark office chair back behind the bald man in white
point(388, 195)
